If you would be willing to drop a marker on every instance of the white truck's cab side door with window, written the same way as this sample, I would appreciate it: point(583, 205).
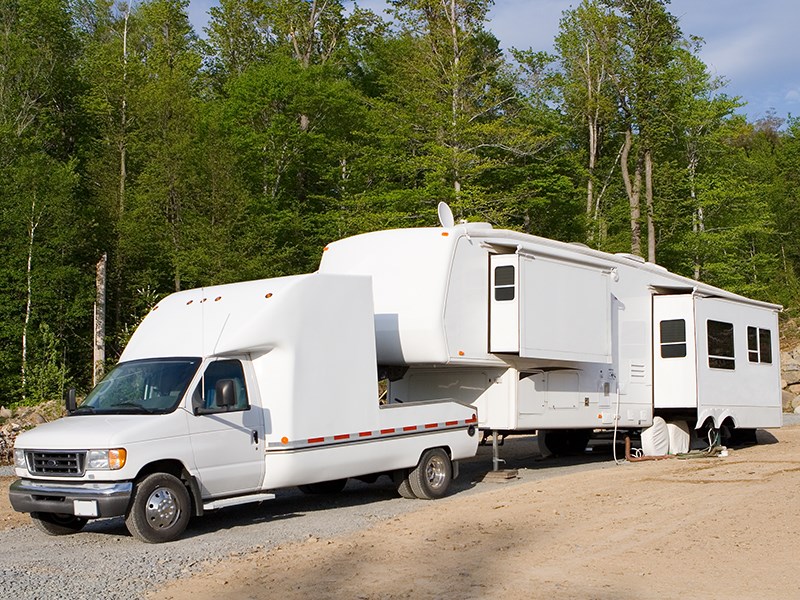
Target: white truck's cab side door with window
point(228, 442)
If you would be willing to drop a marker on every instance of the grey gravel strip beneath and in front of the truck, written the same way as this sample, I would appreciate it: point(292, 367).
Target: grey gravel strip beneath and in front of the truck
point(105, 561)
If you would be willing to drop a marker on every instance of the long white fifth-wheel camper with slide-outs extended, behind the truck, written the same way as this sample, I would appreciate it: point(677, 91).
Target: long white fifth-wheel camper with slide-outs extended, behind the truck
point(559, 338)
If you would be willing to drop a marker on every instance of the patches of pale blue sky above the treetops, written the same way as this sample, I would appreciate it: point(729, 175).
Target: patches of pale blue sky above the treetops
point(752, 44)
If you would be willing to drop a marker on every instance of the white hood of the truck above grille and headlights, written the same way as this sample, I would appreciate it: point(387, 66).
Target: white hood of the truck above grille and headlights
point(86, 432)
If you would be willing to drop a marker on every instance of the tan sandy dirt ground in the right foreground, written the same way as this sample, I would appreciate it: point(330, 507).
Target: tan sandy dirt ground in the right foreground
point(701, 528)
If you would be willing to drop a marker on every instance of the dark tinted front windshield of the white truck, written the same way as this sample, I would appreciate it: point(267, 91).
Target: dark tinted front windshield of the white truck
point(141, 386)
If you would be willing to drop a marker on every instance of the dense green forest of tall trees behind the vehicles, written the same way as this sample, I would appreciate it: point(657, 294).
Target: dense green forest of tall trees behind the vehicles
point(136, 152)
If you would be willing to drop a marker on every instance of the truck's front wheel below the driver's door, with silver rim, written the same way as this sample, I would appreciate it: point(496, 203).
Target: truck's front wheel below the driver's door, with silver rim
point(160, 510)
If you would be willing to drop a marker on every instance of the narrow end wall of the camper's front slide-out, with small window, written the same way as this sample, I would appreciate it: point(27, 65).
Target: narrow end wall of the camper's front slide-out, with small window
point(504, 303)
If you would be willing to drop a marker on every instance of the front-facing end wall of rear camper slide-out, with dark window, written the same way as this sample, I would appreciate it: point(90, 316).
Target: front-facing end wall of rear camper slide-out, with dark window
point(674, 353)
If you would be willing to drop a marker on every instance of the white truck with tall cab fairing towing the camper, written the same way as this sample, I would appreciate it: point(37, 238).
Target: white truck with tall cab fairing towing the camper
point(225, 394)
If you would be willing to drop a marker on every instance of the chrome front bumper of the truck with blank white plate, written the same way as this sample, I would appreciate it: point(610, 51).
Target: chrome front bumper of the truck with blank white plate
point(104, 499)
